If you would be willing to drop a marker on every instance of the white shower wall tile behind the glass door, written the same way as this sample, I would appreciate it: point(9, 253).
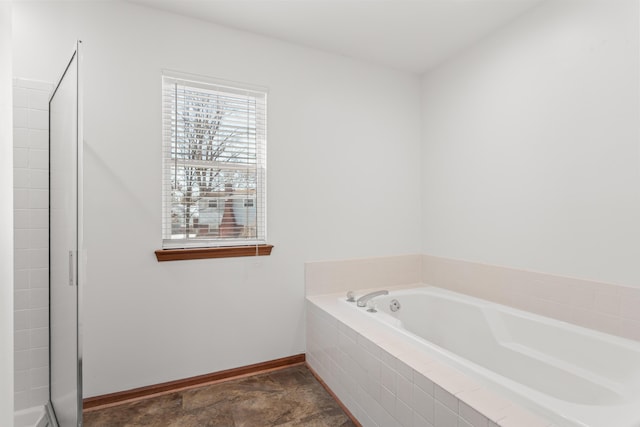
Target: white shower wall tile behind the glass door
point(31, 202)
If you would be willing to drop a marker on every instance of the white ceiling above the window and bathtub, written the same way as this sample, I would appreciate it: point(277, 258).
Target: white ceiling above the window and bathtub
point(410, 35)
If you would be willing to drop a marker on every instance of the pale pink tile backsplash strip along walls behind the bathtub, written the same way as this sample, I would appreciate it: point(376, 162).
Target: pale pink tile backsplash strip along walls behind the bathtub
point(610, 308)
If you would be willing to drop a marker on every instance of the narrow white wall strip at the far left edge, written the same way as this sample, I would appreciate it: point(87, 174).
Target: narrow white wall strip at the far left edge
point(6, 216)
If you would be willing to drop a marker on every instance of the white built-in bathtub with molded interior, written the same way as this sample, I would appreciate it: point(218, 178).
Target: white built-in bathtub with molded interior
point(570, 375)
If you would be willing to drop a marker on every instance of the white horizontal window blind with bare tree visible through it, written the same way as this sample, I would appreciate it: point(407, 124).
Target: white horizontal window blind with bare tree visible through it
point(214, 164)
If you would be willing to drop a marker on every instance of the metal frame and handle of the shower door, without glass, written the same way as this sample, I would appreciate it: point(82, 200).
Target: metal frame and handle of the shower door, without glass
point(79, 256)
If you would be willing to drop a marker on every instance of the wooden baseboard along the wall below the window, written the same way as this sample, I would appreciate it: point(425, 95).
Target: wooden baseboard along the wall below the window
point(97, 402)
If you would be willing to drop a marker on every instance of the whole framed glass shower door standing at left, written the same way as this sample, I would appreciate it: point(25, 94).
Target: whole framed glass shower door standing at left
point(64, 408)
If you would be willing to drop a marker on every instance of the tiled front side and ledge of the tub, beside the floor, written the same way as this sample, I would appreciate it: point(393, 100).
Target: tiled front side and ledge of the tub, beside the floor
point(385, 380)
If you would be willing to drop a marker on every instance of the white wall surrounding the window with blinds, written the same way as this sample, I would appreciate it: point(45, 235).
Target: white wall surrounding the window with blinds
point(148, 322)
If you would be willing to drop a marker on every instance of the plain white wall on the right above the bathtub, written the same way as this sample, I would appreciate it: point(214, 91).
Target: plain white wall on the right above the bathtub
point(531, 145)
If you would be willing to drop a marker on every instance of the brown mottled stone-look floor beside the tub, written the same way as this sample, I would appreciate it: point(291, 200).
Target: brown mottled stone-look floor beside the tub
point(288, 397)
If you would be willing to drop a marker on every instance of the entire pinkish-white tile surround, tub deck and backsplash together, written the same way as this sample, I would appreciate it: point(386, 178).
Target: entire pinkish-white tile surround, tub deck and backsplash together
point(382, 379)
